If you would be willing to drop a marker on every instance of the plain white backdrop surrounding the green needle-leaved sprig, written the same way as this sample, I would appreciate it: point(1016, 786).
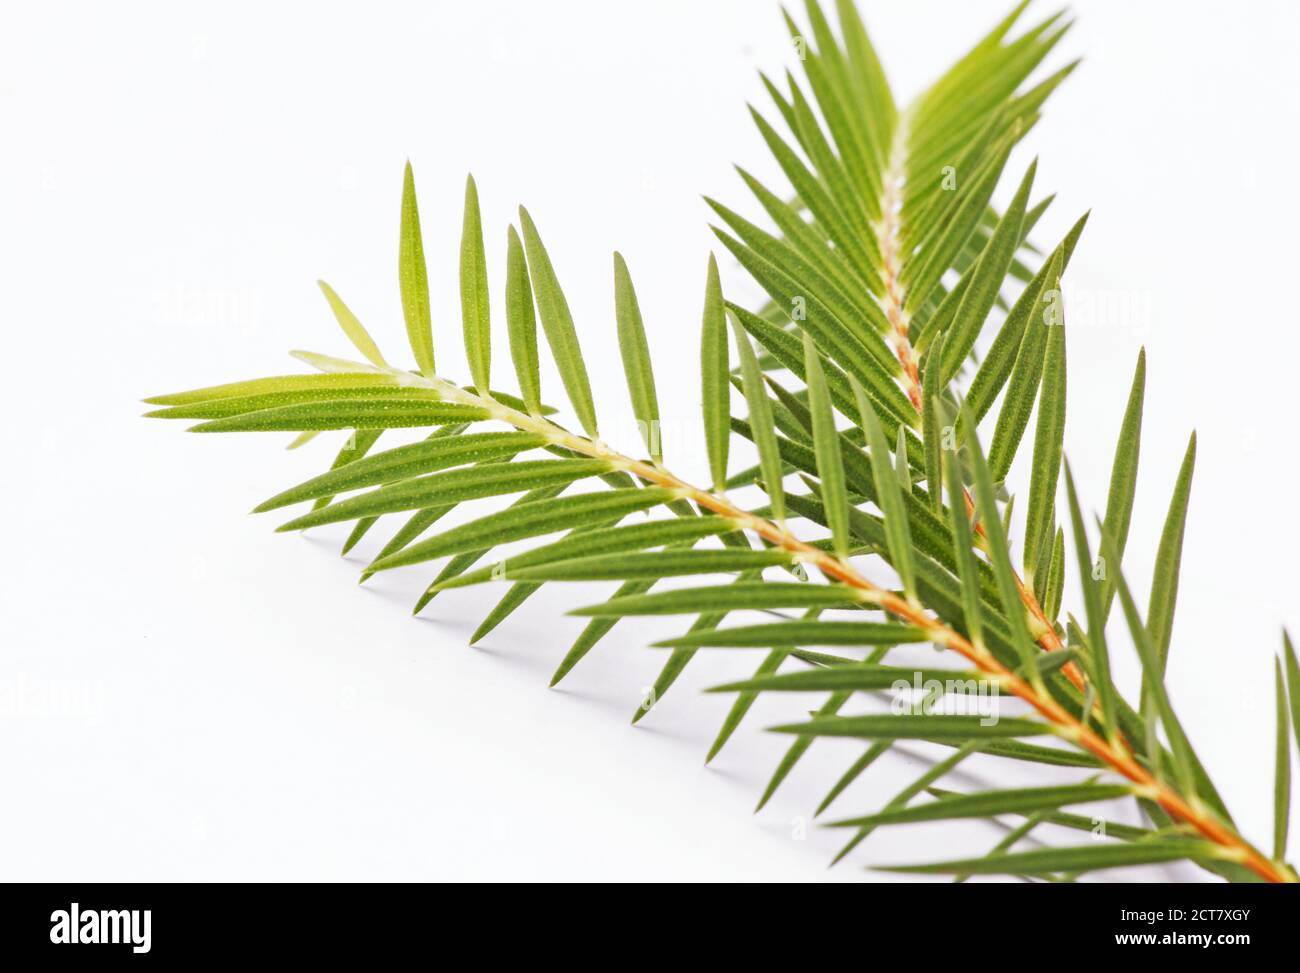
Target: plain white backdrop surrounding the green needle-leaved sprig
point(189, 697)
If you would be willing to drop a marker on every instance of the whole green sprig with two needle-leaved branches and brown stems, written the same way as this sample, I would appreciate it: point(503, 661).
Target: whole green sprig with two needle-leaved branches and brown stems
point(885, 451)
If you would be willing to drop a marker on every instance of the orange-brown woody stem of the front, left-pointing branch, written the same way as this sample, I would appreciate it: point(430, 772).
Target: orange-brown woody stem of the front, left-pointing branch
point(1065, 725)
